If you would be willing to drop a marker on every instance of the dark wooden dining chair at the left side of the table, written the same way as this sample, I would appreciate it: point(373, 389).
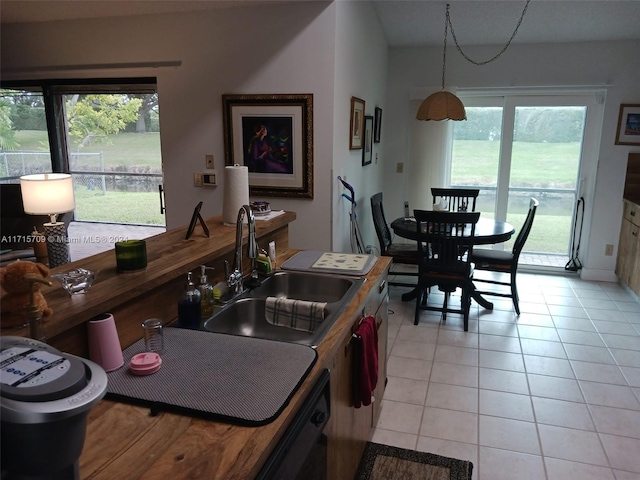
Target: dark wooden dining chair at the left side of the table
point(402, 254)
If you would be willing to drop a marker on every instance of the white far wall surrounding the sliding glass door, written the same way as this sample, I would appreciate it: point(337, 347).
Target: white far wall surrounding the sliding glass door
point(612, 64)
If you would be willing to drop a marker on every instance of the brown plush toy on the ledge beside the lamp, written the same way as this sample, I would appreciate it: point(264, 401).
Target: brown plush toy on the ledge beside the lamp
point(13, 305)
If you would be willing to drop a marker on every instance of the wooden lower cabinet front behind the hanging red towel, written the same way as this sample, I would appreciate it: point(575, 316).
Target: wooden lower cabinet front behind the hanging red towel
point(350, 428)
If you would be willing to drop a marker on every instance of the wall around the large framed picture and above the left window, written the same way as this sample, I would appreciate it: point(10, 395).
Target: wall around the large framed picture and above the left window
point(272, 49)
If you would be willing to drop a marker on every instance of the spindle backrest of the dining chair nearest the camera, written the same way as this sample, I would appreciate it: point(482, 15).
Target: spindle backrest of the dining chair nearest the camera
point(445, 241)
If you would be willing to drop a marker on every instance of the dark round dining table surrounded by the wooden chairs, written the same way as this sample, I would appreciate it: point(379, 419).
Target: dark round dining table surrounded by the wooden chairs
point(487, 232)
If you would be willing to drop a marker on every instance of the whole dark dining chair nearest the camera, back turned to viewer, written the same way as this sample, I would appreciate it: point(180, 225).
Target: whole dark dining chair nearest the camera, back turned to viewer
point(445, 247)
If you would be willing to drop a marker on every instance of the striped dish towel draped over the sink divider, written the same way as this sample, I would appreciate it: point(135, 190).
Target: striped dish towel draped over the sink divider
point(297, 314)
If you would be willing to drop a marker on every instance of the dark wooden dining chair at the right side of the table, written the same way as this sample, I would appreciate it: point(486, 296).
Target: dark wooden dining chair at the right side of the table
point(505, 262)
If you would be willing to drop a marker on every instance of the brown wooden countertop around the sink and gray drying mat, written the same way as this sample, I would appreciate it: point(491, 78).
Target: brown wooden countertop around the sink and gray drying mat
point(125, 441)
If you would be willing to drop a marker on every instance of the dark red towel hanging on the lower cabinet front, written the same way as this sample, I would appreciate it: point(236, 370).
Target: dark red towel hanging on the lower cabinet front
point(365, 362)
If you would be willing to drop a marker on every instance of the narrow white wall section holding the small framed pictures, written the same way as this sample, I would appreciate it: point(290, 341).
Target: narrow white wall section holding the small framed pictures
point(361, 71)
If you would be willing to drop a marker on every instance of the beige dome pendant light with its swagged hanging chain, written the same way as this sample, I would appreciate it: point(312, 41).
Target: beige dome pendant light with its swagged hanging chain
point(445, 105)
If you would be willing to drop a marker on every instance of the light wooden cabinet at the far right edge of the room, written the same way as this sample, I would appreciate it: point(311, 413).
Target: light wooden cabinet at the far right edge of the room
point(628, 261)
